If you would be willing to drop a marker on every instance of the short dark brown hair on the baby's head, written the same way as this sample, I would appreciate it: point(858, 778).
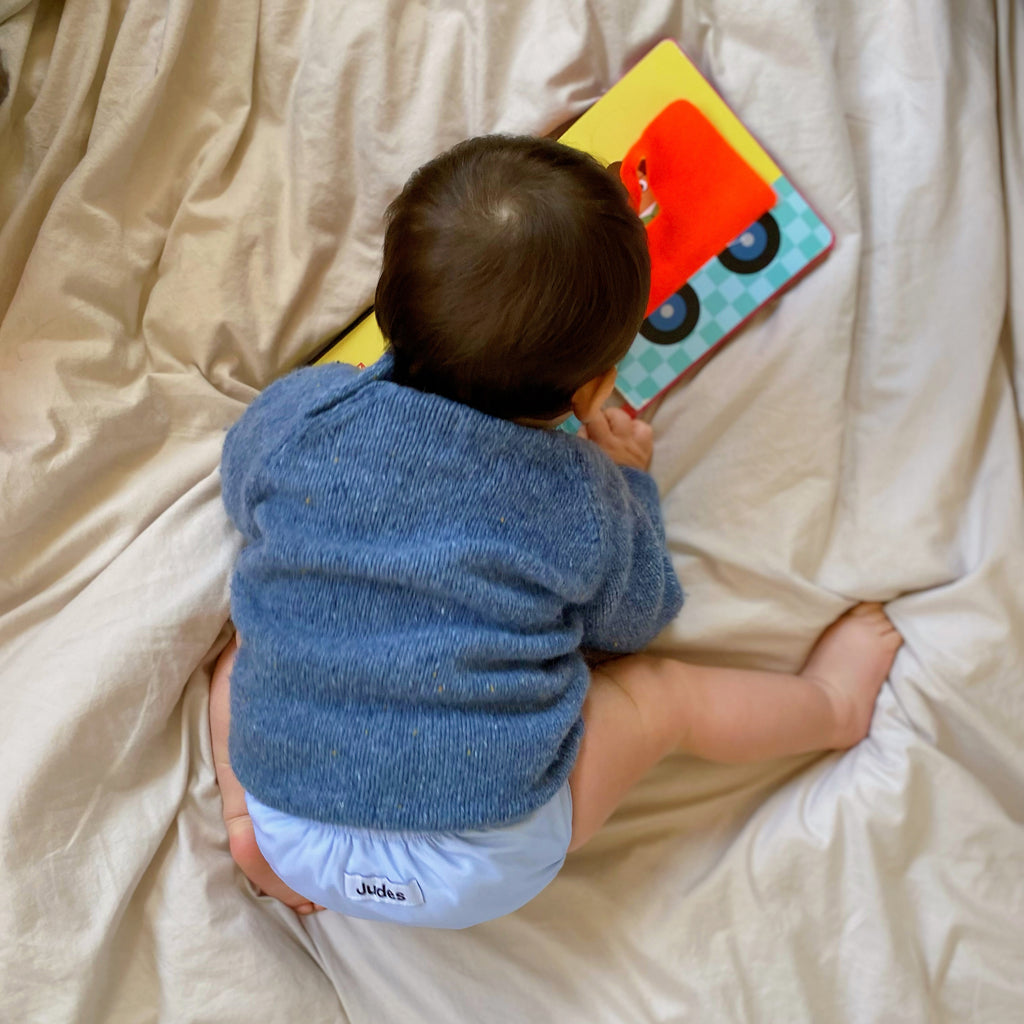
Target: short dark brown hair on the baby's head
point(515, 272)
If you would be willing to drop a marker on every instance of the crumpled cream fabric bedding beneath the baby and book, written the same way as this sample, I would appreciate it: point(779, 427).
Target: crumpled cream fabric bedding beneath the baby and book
point(191, 198)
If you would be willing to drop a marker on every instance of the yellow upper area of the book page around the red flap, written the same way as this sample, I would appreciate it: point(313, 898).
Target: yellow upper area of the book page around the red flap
point(619, 118)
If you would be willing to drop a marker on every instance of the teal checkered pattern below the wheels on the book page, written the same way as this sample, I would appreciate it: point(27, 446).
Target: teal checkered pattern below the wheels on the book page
point(727, 301)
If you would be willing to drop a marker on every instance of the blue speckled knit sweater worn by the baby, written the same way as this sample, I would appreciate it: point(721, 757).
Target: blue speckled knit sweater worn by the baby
point(417, 583)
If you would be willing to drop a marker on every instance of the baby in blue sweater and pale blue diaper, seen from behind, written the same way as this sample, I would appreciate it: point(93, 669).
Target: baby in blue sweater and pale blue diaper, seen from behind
point(416, 735)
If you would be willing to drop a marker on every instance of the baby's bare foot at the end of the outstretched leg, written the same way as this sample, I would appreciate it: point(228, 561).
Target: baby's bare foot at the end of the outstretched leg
point(850, 663)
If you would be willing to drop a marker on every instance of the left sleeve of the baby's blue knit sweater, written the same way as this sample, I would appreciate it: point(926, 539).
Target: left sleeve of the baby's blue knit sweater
point(276, 416)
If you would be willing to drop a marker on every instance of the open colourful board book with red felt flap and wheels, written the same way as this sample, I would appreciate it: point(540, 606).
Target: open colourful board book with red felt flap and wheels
point(728, 231)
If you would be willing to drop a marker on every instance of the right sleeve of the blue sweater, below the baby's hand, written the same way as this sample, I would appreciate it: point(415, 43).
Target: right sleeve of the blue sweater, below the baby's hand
point(638, 594)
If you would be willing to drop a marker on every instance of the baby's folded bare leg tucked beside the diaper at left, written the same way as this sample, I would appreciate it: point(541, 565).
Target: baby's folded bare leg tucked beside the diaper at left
point(241, 836)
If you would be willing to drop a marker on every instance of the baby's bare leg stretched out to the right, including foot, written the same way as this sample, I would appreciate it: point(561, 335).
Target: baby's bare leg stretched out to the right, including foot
point(639, 709)
